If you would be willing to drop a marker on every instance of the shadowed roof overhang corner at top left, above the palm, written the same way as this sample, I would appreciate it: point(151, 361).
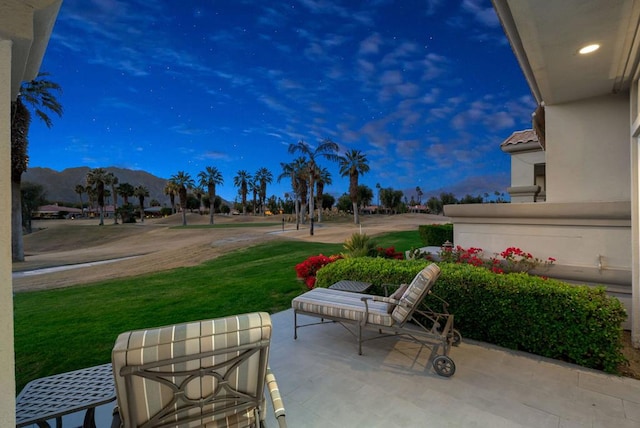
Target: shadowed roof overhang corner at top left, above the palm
point(28, 24)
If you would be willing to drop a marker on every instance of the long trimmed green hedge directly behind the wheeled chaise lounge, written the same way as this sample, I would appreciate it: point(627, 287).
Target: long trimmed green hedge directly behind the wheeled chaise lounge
point(577, 324)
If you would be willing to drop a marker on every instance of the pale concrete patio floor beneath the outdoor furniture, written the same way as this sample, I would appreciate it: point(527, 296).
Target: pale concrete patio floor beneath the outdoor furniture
point(325, 383)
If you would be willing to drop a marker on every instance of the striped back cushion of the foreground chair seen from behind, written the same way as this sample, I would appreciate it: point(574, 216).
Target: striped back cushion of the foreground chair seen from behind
point(177, 348)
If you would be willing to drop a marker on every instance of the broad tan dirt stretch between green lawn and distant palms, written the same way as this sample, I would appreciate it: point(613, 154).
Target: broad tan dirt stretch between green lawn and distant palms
point(156, 246)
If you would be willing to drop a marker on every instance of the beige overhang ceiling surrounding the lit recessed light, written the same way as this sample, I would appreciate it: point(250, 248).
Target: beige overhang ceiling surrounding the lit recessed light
point(546, 37)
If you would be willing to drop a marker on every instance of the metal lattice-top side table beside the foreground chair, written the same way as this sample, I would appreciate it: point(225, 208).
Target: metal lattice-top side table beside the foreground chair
point(55, 396)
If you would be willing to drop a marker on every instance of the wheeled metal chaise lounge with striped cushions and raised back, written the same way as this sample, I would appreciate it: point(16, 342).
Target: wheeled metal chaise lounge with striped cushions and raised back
point(399, 314)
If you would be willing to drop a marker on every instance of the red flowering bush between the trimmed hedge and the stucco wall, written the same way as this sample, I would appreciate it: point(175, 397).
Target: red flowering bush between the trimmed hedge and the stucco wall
point(512, 259)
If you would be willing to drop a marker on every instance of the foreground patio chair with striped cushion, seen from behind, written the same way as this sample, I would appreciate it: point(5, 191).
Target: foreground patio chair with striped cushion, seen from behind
point(205, 373)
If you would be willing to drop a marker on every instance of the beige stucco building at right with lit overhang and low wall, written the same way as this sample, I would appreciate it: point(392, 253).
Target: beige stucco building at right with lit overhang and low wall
point(580, 60)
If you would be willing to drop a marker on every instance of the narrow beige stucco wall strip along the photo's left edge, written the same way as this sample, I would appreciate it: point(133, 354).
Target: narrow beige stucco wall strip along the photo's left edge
point(7, 373)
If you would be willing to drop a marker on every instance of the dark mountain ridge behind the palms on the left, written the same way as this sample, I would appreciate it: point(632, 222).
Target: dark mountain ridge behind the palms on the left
point(60, 185)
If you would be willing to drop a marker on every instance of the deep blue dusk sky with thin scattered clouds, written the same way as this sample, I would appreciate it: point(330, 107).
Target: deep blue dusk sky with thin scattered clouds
point(426, 89)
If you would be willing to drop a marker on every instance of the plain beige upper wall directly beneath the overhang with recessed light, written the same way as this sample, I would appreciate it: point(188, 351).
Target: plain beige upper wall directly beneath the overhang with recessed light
point(588, 150)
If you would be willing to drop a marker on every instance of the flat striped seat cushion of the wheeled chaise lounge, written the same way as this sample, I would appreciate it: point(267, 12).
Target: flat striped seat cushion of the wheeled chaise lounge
point(341, 304)
